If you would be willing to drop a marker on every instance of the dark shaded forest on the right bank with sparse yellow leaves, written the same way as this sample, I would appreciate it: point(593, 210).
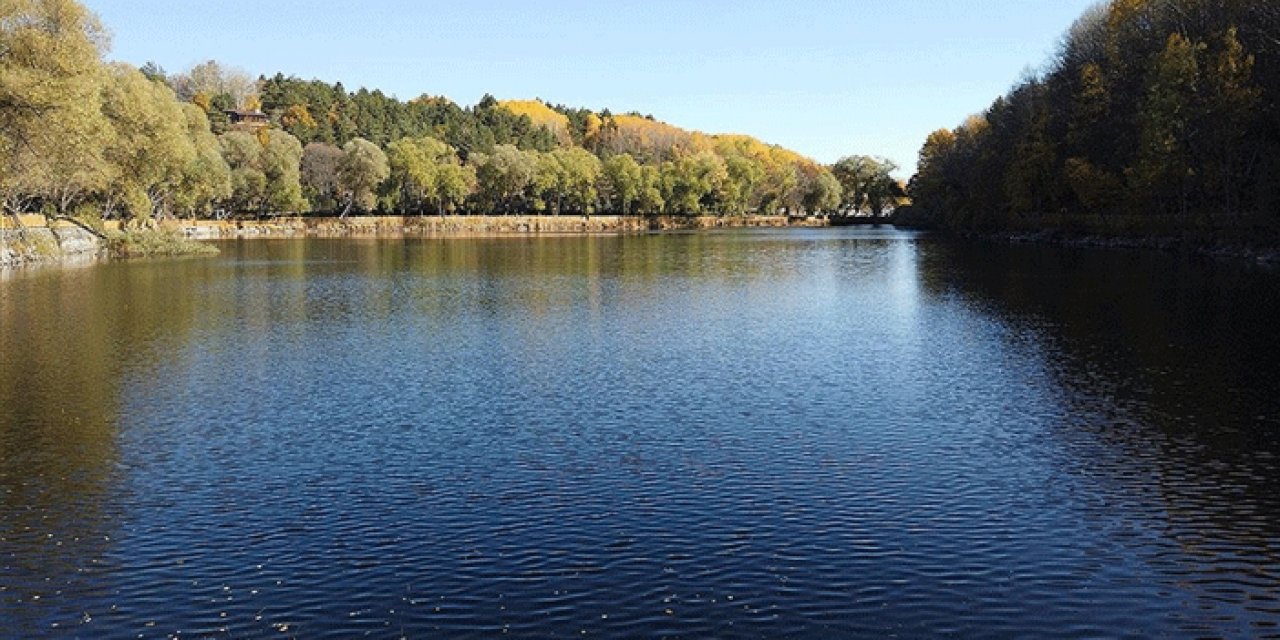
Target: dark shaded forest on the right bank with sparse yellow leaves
point(1155, 117)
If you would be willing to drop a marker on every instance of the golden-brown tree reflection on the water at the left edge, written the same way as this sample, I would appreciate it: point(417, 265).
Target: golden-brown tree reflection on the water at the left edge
point(70, 342)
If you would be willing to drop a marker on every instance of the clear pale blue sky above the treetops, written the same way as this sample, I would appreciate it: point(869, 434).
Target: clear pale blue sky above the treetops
point(824, 77)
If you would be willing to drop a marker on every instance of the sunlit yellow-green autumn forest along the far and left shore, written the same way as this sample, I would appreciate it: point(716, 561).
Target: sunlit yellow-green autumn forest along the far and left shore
point(85, 139)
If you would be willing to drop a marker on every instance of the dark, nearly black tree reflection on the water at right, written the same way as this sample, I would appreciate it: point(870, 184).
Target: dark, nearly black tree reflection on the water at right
point(1169, 368)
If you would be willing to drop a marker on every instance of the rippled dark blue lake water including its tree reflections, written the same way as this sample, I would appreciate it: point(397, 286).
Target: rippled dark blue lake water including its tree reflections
point(744, 435)
